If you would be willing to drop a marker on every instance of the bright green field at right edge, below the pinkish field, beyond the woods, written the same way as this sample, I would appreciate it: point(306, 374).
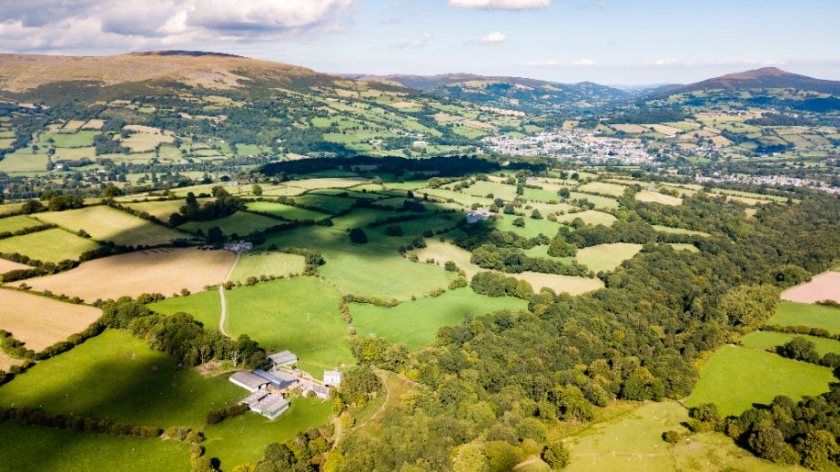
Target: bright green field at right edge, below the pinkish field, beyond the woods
point(734, 378)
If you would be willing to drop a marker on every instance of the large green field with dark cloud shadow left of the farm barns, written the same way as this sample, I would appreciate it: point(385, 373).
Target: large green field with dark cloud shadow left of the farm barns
point(115, 376)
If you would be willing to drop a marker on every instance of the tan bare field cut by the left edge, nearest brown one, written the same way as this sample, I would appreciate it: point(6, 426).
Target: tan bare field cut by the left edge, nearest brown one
point(41, 322)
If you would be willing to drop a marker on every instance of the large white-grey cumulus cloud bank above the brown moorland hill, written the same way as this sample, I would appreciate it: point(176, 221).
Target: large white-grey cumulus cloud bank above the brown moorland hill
point(61, 24)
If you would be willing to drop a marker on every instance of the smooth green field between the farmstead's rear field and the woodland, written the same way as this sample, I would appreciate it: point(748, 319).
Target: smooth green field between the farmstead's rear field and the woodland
point(416, 323)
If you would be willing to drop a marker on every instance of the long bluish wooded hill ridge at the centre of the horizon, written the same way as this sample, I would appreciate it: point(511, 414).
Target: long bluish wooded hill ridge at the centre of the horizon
point(523, 94)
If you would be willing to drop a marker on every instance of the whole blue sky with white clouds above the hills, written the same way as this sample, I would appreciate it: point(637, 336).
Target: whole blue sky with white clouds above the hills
point(617, 42)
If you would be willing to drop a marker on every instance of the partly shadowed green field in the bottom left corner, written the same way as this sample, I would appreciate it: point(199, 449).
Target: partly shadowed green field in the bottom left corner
point(35, 449)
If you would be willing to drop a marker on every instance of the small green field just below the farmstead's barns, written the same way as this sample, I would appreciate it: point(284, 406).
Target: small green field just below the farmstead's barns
point(243, 438)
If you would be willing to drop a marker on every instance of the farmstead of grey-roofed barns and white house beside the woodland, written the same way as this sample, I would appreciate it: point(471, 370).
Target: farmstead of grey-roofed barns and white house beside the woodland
point(270, 391)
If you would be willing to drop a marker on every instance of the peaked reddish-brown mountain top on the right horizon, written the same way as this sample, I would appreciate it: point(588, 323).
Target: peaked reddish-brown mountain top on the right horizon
point(764, 78)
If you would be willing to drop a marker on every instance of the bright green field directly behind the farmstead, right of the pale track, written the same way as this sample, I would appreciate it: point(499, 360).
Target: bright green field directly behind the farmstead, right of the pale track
point(306, 320)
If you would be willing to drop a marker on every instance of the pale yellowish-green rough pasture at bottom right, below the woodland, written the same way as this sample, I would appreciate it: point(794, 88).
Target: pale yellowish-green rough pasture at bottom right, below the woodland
point(633, 441)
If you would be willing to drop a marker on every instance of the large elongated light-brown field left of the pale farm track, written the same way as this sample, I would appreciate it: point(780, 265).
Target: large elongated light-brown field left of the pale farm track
point(165, 271)
